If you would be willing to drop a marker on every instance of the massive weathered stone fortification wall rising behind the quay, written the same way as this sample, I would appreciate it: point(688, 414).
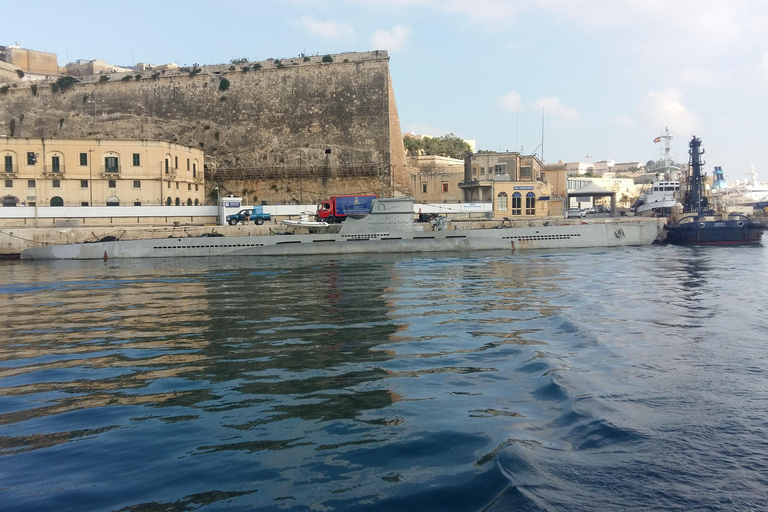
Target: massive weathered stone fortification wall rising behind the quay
point(291, 127)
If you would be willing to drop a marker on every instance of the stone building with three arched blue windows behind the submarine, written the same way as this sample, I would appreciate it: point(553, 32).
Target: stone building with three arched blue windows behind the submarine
point(512, 182)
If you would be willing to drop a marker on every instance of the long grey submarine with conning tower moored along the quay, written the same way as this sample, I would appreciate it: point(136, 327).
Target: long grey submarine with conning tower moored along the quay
point(389, 228)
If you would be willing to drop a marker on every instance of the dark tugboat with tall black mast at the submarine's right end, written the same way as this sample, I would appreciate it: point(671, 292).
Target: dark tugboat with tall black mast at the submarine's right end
point(699, 224)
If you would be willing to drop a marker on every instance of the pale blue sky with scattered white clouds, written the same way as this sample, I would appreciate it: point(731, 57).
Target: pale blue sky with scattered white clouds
point(570, 80)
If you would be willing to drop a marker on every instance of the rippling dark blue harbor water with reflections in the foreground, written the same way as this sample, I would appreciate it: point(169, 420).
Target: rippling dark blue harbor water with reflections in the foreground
point(620, 379)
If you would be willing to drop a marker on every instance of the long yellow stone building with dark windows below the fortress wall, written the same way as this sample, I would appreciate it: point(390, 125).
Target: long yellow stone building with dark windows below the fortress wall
point(99, 172)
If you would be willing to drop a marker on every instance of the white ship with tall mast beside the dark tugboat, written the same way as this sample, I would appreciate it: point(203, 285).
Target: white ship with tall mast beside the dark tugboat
point(658, 198)
